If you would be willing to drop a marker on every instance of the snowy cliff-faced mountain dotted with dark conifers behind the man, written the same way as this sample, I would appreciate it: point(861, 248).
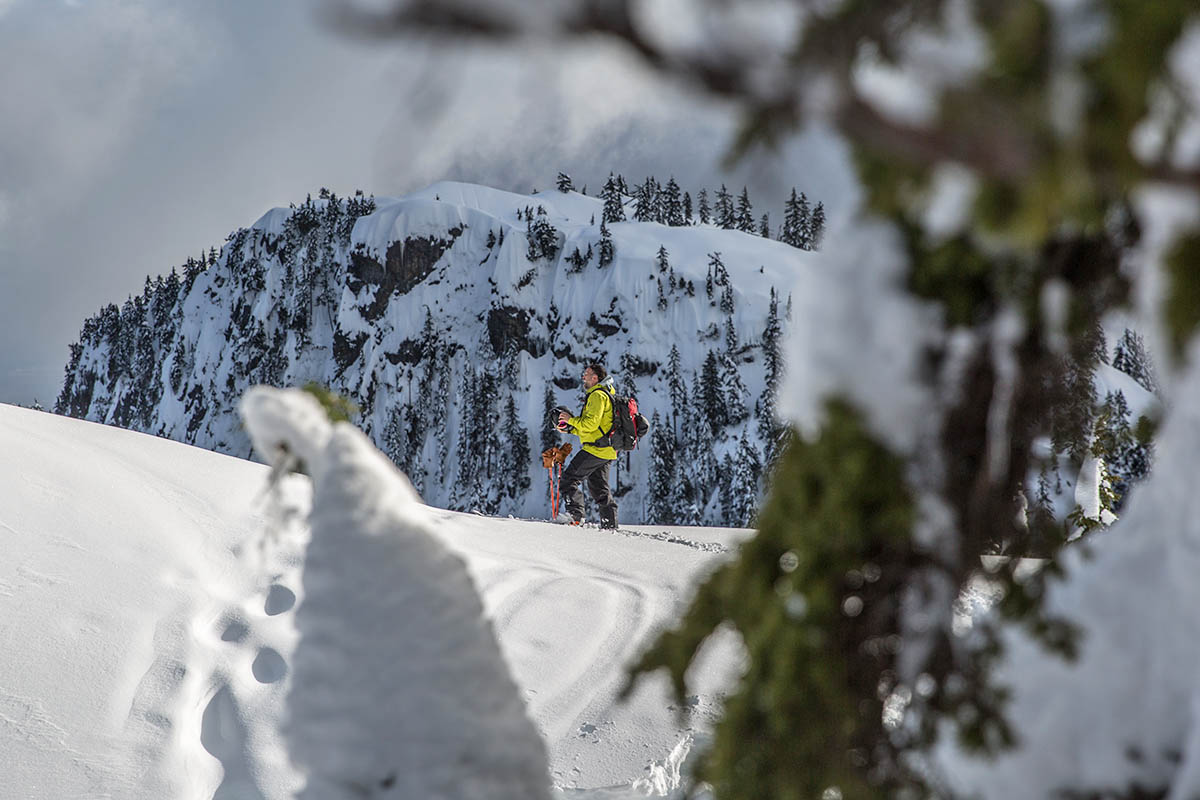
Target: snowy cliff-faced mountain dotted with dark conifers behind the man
point(457, 318)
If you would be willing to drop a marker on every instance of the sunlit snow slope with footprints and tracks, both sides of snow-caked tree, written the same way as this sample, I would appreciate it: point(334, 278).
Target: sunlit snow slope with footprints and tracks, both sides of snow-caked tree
point(148, 607)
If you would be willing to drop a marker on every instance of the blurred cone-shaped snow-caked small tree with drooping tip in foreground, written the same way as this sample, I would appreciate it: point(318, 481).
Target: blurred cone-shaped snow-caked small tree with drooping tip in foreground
point(398, 679)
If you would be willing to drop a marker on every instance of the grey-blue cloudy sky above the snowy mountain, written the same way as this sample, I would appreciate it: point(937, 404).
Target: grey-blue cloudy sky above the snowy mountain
point(145, 131)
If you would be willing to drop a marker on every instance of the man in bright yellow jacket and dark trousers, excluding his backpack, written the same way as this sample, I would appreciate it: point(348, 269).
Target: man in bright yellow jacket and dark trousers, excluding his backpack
point(593, 428)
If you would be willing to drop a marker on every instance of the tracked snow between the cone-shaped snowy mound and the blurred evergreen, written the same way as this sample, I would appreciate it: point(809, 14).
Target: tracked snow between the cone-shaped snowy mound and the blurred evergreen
point(573, 628)
